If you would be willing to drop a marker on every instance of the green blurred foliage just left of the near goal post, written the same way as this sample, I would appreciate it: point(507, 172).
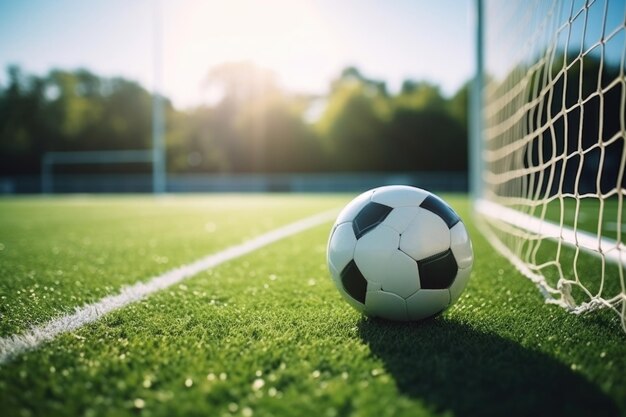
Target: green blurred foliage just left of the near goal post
point(417, 129)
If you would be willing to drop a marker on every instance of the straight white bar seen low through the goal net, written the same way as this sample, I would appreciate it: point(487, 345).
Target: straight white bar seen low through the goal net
point(611, 250)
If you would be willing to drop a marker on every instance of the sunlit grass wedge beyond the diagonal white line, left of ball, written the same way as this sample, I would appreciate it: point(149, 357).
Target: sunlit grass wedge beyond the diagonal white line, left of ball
point(59, 253)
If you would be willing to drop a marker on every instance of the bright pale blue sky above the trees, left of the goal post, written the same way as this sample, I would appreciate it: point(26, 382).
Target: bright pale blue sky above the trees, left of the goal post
point(171, 45)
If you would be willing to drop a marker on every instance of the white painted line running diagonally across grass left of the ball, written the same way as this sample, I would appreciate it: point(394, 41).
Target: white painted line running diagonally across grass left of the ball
point(13, 345)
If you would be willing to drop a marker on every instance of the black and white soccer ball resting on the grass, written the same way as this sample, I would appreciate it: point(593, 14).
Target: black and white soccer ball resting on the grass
point(399, 253)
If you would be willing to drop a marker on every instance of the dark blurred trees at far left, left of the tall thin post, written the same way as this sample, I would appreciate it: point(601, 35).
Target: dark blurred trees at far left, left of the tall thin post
point(69, 111)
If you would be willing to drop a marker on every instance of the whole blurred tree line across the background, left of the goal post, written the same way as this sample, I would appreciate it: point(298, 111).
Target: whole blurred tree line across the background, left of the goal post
point(254, 125)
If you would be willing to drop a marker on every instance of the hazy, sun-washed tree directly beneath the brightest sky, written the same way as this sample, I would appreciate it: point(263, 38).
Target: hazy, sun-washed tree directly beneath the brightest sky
point(256, 125)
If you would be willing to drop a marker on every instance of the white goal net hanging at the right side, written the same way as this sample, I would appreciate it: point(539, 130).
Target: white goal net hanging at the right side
point(551, 182)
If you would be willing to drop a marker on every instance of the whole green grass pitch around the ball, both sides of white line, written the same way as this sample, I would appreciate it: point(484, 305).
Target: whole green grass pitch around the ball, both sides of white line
point(267, 334)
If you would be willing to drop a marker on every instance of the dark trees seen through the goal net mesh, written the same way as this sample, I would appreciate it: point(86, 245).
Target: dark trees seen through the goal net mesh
point(577, 119)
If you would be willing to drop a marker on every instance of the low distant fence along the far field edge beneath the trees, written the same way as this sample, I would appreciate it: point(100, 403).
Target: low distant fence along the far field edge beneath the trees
point(329, 182)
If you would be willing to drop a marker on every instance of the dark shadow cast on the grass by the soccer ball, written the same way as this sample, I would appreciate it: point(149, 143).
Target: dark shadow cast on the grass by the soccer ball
point(456, 368)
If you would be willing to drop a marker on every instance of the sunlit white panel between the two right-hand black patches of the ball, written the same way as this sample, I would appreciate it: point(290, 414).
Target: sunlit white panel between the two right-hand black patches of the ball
point(427, 235)
